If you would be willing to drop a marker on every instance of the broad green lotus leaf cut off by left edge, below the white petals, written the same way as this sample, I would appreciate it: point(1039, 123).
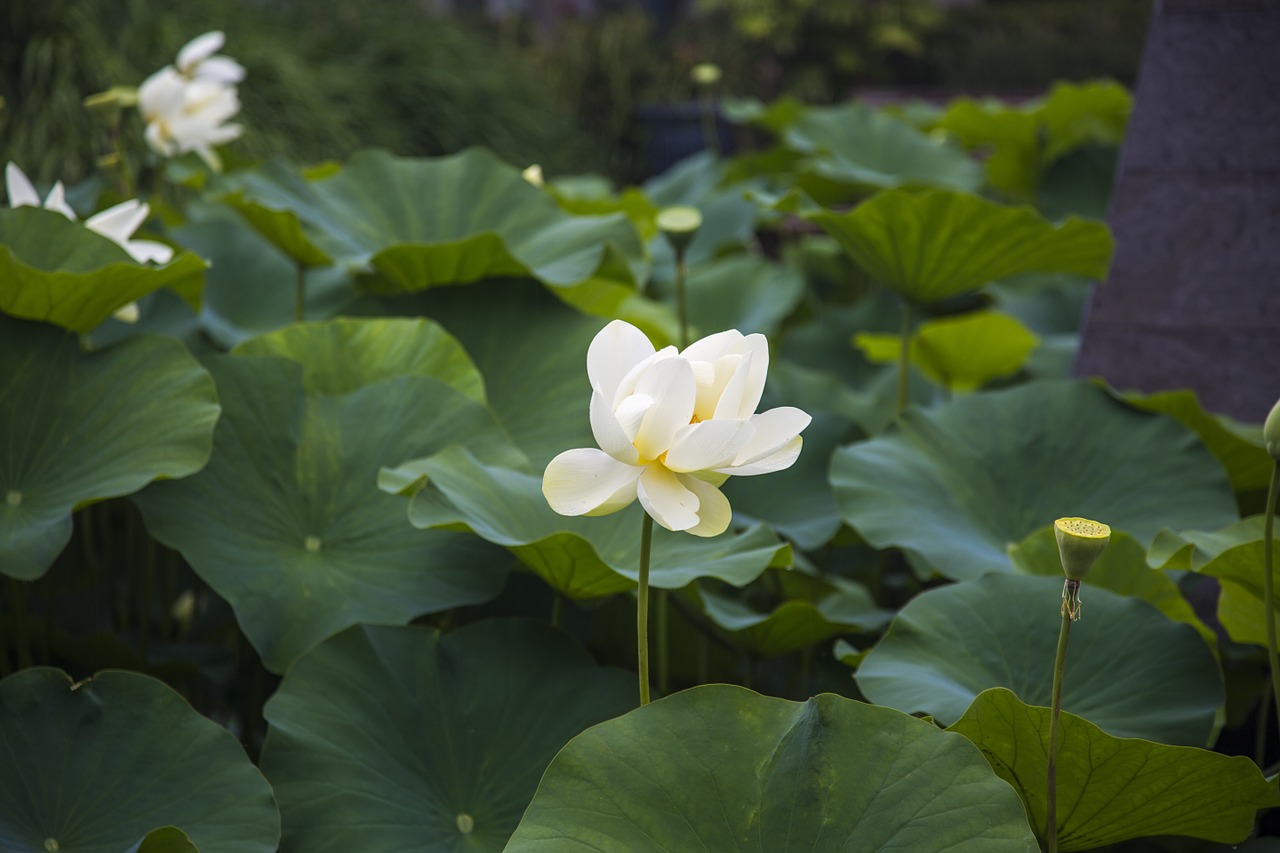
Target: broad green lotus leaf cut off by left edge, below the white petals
point(83, 427)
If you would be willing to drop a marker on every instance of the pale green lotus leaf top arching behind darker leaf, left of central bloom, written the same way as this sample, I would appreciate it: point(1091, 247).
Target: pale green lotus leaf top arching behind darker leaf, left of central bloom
point(345, 355)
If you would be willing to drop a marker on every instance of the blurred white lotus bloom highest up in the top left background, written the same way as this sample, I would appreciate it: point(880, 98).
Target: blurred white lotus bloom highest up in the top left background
point(188, 108)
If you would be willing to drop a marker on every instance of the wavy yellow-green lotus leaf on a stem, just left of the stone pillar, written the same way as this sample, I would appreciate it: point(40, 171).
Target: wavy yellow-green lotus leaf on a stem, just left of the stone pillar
point(930, 247)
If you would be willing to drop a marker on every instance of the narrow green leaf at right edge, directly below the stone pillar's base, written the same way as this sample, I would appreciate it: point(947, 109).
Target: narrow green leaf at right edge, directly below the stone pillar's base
point(1240, 448)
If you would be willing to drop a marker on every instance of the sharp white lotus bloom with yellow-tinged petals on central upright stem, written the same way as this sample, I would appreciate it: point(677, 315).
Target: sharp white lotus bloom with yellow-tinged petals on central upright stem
point(671, 427)
